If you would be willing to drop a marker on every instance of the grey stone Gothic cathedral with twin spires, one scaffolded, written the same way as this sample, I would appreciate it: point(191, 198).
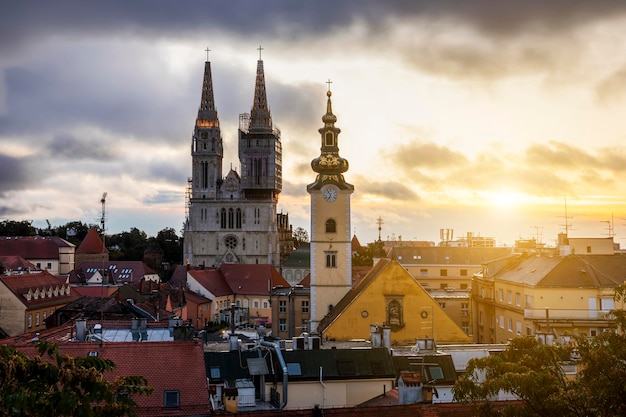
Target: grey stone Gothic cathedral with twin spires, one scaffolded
point(233, 218)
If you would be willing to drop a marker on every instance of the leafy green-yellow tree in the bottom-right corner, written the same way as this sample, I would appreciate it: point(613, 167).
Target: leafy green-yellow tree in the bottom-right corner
point(533, 372)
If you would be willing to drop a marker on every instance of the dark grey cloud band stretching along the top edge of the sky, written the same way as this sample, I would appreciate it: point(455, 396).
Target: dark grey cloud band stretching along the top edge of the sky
point(32, 19)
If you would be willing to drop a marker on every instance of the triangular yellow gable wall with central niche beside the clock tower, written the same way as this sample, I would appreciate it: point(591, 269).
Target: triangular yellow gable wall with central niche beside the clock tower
point(394, 288)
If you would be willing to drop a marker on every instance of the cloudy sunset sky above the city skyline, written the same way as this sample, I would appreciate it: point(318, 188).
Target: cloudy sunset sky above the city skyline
point(503, 119)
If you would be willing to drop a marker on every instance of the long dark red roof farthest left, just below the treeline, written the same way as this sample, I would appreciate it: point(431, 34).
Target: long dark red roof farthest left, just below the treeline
point(32, 247)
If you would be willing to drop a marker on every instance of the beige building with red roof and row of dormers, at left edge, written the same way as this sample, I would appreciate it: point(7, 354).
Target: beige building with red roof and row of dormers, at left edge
point(27, 300)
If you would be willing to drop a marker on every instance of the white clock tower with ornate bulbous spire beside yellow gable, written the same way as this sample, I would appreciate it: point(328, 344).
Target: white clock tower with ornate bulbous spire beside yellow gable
point(331, 256)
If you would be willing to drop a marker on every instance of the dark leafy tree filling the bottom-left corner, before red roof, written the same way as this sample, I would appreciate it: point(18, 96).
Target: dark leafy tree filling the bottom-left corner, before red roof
point(52, 384)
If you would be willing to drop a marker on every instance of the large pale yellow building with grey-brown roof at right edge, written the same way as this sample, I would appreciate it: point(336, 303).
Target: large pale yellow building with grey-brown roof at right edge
point(548, 296)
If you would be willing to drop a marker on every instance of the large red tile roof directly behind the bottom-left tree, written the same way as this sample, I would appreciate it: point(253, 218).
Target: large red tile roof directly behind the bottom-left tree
point(166, 365)
